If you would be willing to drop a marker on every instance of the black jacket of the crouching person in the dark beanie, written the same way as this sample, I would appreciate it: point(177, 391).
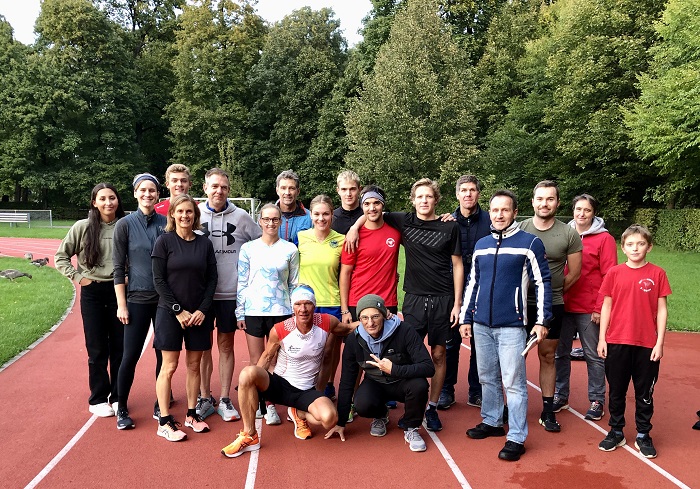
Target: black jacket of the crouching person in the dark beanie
point(407, 352)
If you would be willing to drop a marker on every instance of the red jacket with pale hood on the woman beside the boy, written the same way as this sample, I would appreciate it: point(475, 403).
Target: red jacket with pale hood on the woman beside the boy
point(599, 255)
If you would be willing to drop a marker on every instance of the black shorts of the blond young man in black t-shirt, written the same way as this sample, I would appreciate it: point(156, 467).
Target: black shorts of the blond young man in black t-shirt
point(429, 315)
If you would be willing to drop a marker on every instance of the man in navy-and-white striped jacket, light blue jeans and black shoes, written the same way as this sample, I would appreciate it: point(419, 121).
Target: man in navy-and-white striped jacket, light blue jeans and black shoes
point(494, 311)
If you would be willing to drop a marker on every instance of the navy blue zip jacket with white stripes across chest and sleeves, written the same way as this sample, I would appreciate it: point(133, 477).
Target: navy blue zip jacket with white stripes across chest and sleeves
point(503, 265)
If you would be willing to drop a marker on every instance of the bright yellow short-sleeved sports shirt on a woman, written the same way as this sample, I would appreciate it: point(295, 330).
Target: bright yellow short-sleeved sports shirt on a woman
point(319, 265)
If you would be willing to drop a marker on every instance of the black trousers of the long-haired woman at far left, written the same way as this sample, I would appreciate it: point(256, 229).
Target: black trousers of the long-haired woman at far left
point(104, 340)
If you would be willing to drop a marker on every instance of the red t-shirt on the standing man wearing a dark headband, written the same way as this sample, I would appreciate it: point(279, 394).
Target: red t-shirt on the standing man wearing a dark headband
point(375, 263)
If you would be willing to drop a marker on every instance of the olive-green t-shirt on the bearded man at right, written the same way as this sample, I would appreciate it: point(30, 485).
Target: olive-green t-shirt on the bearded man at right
point(560, 241)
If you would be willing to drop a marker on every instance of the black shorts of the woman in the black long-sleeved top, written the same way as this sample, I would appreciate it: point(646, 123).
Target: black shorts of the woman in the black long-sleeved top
point(169, 334)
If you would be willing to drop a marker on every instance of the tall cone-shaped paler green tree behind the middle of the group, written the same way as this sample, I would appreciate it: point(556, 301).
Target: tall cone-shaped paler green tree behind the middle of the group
point(414, 116)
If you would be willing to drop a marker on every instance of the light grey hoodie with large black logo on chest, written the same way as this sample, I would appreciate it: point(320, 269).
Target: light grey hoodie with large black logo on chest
point(227, 230)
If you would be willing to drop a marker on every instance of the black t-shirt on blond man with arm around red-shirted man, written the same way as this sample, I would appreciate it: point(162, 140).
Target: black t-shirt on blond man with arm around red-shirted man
point(430, 246)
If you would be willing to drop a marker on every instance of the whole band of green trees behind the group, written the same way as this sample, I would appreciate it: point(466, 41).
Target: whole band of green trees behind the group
point(602, 96)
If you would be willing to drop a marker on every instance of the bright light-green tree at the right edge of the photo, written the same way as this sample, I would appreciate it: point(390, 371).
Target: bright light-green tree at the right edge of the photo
point(665, 121)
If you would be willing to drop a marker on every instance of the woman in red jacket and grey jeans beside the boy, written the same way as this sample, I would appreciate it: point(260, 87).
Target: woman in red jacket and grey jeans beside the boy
point(582, 307)
